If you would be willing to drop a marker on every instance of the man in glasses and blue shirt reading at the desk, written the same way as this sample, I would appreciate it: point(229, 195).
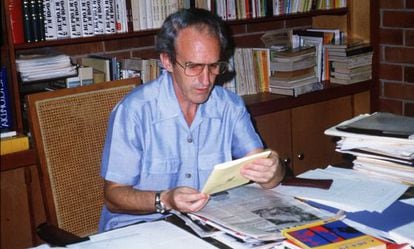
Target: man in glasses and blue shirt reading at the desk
point(165, 137)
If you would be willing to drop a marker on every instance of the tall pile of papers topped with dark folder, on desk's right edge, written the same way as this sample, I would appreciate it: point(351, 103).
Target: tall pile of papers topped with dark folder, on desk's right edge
point(382, 144)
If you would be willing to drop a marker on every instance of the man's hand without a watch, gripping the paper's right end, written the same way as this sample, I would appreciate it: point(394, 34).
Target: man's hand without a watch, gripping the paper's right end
point(267, 172)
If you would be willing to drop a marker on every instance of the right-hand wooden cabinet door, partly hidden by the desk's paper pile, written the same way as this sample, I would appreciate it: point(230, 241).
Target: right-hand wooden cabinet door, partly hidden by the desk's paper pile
point(311, 148)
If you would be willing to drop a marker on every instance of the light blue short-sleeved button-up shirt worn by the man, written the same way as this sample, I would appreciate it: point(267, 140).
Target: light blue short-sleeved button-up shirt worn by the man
point(150, 146)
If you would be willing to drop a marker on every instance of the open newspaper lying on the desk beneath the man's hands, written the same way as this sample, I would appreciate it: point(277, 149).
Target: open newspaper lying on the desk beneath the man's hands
point(252, 213)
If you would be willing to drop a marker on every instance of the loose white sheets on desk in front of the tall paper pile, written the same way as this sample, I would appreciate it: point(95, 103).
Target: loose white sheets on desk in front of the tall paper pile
point(350, 191)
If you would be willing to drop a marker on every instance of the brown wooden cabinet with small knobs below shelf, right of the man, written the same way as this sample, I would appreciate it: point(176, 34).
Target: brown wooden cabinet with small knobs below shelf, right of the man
point(297, 133)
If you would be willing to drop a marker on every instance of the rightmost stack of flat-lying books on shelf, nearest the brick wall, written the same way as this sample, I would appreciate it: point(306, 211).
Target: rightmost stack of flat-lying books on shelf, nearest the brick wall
point(350, 62)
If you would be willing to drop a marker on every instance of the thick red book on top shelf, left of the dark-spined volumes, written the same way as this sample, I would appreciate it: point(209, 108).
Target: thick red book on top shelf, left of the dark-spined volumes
point(16, 21)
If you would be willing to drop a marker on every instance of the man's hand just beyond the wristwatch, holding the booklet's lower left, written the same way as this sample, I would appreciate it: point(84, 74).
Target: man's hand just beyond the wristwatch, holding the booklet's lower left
point(184, 199)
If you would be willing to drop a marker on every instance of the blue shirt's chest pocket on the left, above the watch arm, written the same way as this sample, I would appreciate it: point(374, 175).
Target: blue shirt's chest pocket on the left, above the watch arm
point(160, 174)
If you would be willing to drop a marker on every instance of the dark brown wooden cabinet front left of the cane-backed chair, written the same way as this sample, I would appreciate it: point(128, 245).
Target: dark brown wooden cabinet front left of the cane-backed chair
point(21, 207)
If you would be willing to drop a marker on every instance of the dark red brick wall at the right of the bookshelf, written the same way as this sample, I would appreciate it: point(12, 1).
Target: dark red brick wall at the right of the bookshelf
point(396, 58)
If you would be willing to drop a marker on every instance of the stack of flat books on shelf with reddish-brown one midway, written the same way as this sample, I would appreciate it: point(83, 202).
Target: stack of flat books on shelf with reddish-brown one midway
point(293, 71)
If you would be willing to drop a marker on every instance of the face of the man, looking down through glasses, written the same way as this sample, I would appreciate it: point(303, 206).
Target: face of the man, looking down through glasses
point(194, 46)
